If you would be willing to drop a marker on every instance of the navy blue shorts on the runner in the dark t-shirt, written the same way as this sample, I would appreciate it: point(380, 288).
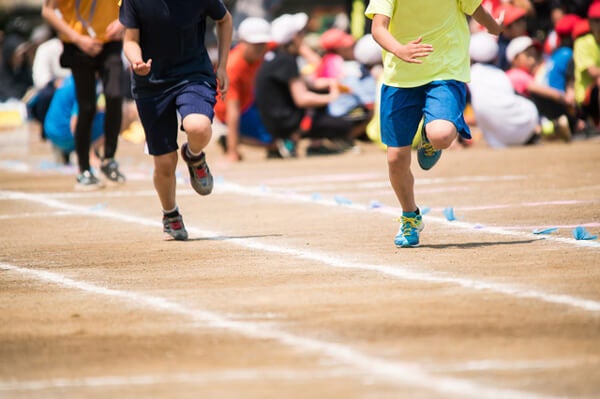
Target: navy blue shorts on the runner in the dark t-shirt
point(158, 114)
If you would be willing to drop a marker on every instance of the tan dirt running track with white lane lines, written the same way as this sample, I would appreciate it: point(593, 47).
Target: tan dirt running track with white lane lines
point(291, 287)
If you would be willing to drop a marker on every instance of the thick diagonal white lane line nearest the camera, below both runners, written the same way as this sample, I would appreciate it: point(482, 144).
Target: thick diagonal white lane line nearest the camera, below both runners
point(402, 373)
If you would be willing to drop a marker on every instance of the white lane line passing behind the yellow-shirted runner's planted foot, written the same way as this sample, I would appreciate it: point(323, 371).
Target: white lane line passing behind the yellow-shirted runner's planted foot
point(471, 227)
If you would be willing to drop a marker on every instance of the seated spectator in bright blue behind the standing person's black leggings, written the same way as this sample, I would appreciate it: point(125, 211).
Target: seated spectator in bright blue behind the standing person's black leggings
point(60, 121)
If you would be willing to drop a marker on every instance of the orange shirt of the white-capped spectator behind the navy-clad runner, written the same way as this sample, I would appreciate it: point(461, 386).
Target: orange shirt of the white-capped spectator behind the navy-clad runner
point(242, 76)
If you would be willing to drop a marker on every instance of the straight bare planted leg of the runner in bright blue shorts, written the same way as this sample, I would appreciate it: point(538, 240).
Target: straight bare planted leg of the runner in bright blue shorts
point(401, 177)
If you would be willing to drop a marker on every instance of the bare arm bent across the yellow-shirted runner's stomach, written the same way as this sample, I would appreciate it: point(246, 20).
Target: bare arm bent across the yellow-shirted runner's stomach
point(411, 52)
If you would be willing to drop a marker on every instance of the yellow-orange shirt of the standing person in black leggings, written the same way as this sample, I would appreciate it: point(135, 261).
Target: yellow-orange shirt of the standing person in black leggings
point(104, 12)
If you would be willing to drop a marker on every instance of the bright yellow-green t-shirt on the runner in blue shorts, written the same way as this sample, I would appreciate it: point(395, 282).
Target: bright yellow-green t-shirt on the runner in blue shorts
point(443, 24)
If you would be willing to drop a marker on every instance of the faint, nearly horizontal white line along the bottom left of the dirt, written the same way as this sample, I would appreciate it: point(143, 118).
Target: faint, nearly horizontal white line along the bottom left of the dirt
point(231, 375)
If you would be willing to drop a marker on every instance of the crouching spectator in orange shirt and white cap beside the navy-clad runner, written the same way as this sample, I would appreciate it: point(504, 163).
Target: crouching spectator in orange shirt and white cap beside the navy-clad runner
point(238, 111)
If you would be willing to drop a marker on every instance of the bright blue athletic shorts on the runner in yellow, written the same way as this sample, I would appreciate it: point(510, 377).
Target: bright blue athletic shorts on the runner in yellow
point(401, 109)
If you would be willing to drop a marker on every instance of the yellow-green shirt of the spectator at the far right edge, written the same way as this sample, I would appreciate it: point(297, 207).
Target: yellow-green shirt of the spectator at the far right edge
point(586, 54)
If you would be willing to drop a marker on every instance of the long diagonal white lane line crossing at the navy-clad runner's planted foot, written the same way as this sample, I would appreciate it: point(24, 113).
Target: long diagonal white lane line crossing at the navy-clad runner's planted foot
point(402, 272)
